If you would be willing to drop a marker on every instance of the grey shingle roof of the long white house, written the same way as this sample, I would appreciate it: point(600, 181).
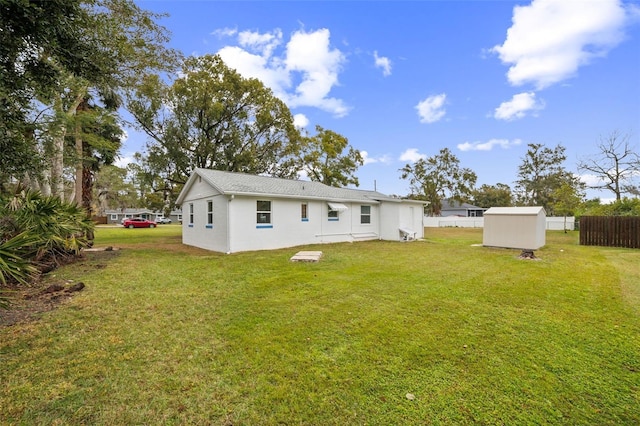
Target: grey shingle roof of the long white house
point(231, 183)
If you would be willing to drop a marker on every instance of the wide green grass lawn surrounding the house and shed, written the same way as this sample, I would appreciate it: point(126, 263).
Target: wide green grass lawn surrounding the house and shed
point(167, 334)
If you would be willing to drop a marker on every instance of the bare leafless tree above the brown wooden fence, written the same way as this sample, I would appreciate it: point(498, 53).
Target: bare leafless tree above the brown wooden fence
point(616, 166)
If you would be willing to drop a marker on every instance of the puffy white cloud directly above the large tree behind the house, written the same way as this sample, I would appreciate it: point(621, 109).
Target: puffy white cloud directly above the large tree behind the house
point(308, 59)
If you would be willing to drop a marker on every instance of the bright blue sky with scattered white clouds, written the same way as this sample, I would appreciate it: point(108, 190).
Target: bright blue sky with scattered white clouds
point(402, 80)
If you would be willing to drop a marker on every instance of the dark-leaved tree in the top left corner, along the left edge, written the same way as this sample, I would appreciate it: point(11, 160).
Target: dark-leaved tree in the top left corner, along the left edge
point(38, 39)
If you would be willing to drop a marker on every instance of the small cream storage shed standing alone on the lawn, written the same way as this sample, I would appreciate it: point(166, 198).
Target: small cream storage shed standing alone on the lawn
point(514, 227)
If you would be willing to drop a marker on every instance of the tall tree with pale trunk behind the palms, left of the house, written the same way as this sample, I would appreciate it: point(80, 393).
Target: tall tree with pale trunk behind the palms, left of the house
point(120, 44)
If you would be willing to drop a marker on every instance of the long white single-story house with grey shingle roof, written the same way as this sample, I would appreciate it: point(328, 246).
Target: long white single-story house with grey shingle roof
point(232, 212)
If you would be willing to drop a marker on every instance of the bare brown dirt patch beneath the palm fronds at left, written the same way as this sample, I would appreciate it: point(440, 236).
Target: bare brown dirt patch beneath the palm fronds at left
point(47, 293)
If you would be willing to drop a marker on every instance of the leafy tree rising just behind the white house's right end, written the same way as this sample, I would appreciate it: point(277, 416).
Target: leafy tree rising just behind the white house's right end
point(438, 178)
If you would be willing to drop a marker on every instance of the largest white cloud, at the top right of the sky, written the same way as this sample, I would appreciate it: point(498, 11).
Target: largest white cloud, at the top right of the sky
point(550, 39)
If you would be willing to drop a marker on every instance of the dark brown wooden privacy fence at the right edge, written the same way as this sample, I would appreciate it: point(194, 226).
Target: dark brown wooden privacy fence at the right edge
point(611, 231)
